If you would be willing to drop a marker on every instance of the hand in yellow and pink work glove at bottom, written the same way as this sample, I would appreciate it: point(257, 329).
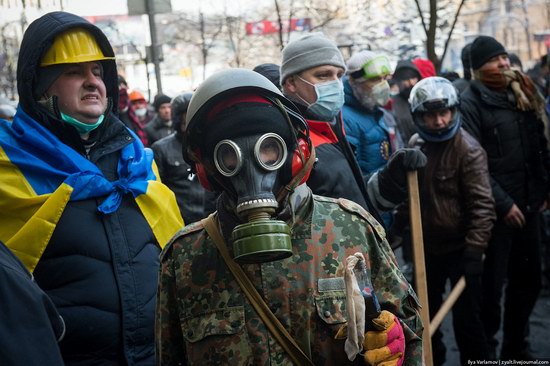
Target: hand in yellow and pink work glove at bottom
point(386, 346)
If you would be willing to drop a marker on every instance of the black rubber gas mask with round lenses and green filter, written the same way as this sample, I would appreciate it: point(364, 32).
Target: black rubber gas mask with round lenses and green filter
point(251, 167)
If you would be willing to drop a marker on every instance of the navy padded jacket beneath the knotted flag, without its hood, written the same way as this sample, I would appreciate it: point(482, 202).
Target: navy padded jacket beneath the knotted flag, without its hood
point(101, 272)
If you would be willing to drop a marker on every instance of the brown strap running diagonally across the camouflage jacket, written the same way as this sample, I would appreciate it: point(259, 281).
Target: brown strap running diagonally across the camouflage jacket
point(271, 322)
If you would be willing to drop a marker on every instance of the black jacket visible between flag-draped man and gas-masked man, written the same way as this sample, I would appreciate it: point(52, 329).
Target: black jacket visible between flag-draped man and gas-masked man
point(194, 201)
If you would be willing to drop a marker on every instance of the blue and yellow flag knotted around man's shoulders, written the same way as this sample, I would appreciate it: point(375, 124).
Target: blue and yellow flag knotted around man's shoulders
point(40, 175)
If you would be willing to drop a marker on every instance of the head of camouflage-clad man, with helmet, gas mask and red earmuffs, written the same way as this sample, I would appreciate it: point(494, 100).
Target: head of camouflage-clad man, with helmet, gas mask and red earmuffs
point(244, 138)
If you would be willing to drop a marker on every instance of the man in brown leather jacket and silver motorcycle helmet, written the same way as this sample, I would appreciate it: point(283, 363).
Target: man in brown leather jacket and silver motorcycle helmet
point(457, 212)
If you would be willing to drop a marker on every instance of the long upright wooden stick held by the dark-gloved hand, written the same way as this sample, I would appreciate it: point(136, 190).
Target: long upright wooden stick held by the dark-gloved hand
point(419, 263)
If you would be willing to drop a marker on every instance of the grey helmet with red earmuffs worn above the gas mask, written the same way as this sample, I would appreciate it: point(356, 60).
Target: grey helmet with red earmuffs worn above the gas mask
point(227, 84)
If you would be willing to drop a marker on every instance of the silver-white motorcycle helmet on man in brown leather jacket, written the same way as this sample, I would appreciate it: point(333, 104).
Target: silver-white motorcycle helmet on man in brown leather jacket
point(433, 94)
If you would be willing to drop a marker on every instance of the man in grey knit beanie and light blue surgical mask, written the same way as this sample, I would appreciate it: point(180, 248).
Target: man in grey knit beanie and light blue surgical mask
point(311, 76)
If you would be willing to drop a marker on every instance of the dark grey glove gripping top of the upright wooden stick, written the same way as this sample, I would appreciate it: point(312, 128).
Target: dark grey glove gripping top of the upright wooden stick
point(392, 179)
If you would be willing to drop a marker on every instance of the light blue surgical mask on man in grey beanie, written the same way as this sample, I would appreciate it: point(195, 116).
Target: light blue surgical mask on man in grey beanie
point(330, 99)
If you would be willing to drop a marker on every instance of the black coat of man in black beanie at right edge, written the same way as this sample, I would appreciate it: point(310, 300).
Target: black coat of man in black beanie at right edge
point(516, 147)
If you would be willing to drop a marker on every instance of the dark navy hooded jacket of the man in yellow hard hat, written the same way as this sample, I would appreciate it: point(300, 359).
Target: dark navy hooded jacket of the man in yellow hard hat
point(100, 270)
